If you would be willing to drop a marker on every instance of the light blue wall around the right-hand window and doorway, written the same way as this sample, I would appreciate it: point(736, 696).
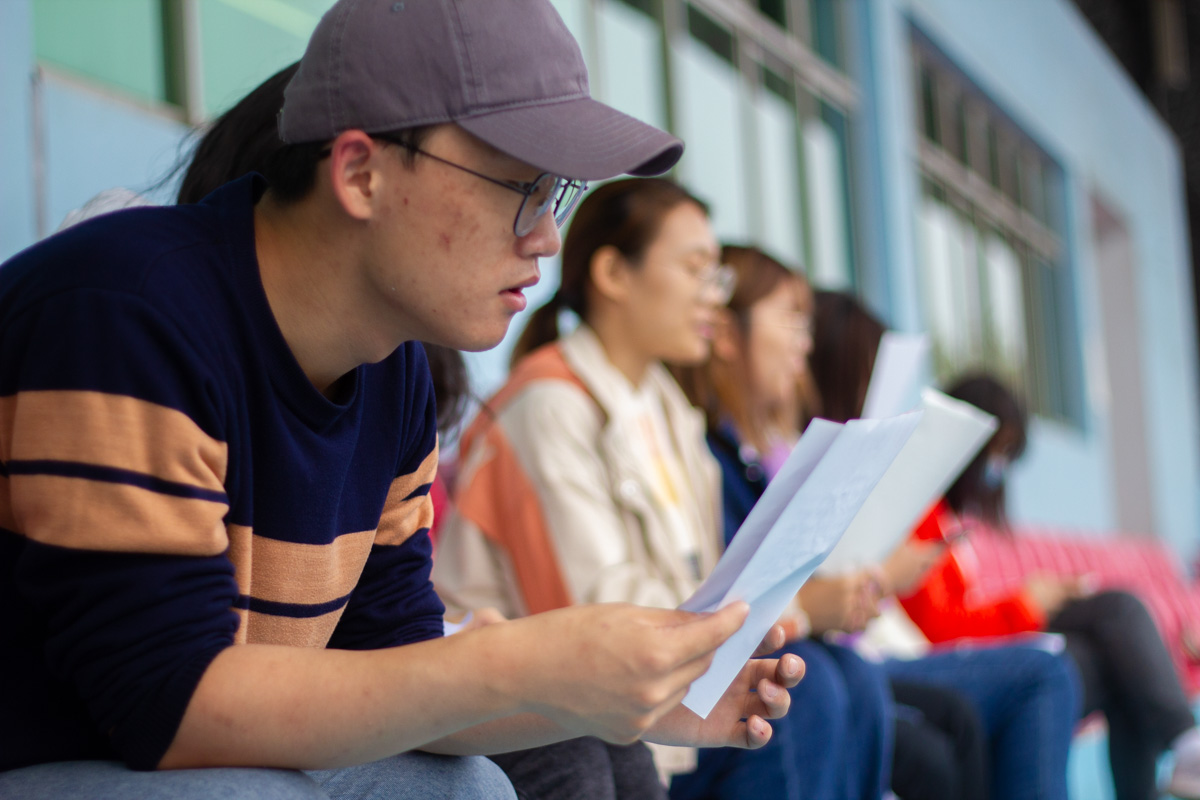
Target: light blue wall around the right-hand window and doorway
point(1041, 63)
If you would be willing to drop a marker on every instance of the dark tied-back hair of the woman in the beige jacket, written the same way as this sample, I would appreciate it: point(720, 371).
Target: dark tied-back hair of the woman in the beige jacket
point(626, 215)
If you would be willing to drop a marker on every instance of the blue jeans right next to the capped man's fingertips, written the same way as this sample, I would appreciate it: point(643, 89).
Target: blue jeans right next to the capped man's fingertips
point(836, 743)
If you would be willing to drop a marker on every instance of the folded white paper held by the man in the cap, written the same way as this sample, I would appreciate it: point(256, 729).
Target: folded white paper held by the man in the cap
point(791, 530)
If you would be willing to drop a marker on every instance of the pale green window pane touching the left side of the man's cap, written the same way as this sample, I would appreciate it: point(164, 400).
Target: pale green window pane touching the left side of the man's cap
point(244, 43)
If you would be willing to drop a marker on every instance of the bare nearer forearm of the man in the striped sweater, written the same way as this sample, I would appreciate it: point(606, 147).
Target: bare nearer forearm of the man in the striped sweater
point(263, 706)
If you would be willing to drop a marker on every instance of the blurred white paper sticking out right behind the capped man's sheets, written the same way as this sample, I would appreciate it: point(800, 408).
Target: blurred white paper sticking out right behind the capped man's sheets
point(950, 436)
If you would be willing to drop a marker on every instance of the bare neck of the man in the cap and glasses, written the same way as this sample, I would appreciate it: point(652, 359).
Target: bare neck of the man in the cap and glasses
point(305, 273)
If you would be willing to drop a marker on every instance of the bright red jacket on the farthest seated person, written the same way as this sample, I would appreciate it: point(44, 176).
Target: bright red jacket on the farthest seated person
point(944, 609)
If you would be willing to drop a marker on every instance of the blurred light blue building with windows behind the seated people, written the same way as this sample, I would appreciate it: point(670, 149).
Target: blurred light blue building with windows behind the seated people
point(986, 171)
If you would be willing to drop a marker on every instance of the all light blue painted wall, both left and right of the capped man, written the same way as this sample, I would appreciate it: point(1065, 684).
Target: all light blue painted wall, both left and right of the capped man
point(1036, 58)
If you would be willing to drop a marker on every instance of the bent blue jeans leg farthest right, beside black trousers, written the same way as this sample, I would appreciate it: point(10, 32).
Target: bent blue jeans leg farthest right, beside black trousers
point(1029, 702)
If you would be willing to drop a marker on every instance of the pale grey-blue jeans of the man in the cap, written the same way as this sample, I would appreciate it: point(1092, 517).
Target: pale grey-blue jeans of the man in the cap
point(409, 777)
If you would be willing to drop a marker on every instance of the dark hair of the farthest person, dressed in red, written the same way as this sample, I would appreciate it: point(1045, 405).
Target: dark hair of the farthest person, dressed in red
point(971, 494)
